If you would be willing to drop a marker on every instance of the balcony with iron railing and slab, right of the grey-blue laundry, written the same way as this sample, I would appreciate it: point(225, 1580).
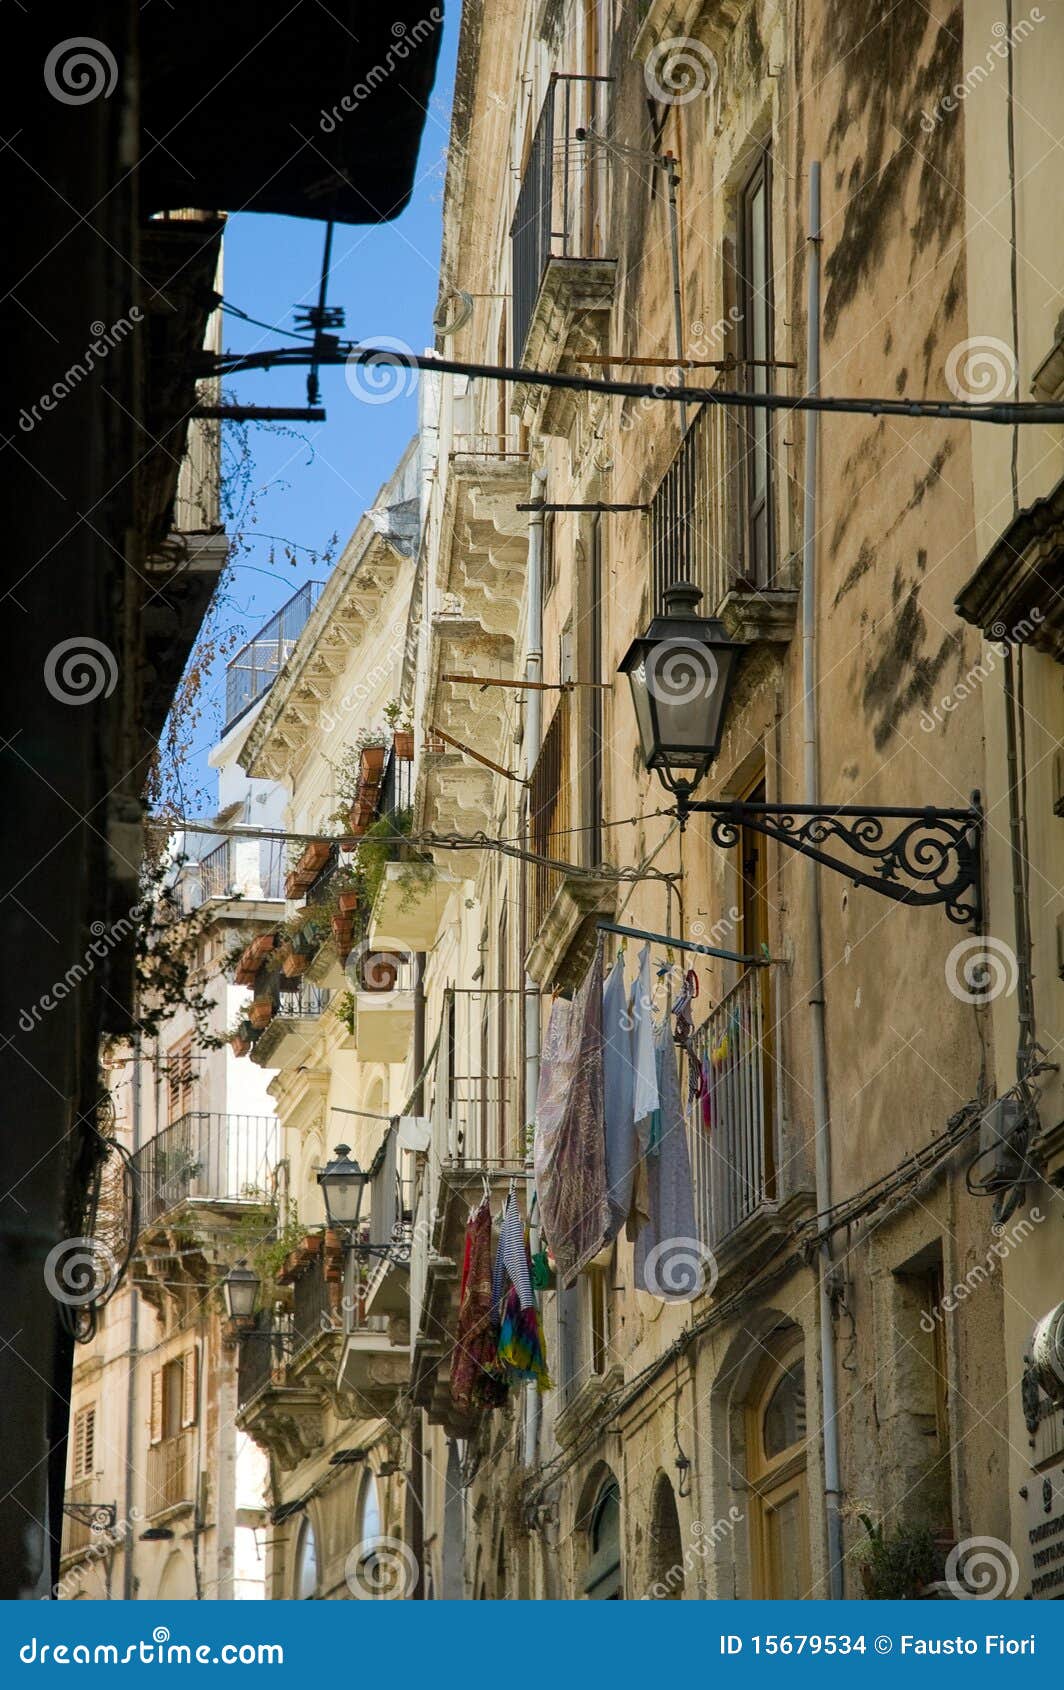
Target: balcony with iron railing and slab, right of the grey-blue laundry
point(747, 1197)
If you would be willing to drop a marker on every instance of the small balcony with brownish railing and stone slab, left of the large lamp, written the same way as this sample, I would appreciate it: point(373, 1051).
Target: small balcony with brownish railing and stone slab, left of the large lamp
point(562, 908)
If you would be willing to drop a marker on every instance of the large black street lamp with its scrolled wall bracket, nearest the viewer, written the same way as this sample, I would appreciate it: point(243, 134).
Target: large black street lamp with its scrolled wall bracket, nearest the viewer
point(681, 673)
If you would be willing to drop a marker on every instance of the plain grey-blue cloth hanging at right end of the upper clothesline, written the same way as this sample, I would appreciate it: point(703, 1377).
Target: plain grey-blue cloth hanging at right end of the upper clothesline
point(670, 1260)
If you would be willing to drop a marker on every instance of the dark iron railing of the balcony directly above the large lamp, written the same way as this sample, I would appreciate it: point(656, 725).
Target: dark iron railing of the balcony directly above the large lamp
point(698, 518)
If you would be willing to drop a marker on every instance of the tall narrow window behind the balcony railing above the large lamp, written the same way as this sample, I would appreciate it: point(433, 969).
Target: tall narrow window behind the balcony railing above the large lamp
point(757, 342)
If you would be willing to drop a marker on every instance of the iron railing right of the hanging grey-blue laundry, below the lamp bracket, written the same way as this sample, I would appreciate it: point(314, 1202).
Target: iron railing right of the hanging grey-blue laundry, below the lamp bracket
point(736, 1157)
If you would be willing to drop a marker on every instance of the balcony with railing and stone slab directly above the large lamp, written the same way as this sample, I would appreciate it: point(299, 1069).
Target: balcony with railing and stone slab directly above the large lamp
point(712, 520)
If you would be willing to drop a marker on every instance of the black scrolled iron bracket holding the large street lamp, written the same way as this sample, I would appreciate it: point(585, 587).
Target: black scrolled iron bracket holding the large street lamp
point(921, 856)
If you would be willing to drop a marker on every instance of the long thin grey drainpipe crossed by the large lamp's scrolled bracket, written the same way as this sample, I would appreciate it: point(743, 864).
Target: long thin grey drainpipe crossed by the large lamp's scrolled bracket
point(817, 939)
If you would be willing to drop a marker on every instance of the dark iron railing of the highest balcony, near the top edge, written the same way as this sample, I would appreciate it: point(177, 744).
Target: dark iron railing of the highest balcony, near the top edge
point(562, 205)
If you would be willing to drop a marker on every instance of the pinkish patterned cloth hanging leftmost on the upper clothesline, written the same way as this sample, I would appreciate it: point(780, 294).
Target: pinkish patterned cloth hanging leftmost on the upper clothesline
point(570, 1148)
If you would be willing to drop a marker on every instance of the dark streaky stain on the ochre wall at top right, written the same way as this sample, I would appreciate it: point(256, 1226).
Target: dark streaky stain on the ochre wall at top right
point(886, 89)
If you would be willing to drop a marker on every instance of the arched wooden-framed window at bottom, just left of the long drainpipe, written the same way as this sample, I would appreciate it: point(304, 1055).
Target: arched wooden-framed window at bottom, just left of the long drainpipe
point(776, 1459)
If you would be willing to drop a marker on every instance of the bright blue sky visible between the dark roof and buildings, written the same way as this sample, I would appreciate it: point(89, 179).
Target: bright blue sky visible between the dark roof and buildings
point(315, 481)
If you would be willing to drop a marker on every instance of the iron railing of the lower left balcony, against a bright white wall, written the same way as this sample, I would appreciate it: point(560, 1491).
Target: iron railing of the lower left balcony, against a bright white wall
point(207, 1157)
